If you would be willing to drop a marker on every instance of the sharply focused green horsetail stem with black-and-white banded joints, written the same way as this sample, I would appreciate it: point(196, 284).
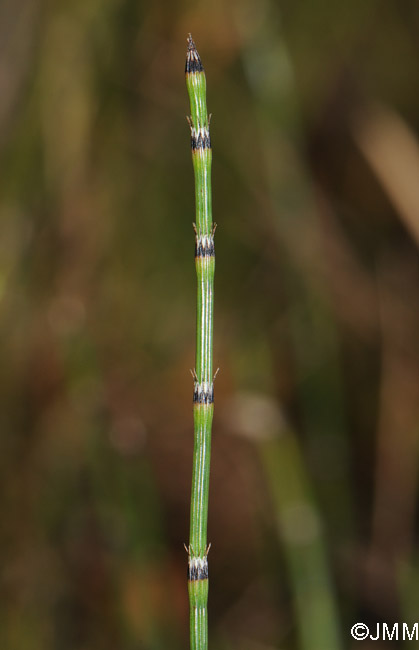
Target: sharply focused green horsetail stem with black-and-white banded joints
point(203, 394)
